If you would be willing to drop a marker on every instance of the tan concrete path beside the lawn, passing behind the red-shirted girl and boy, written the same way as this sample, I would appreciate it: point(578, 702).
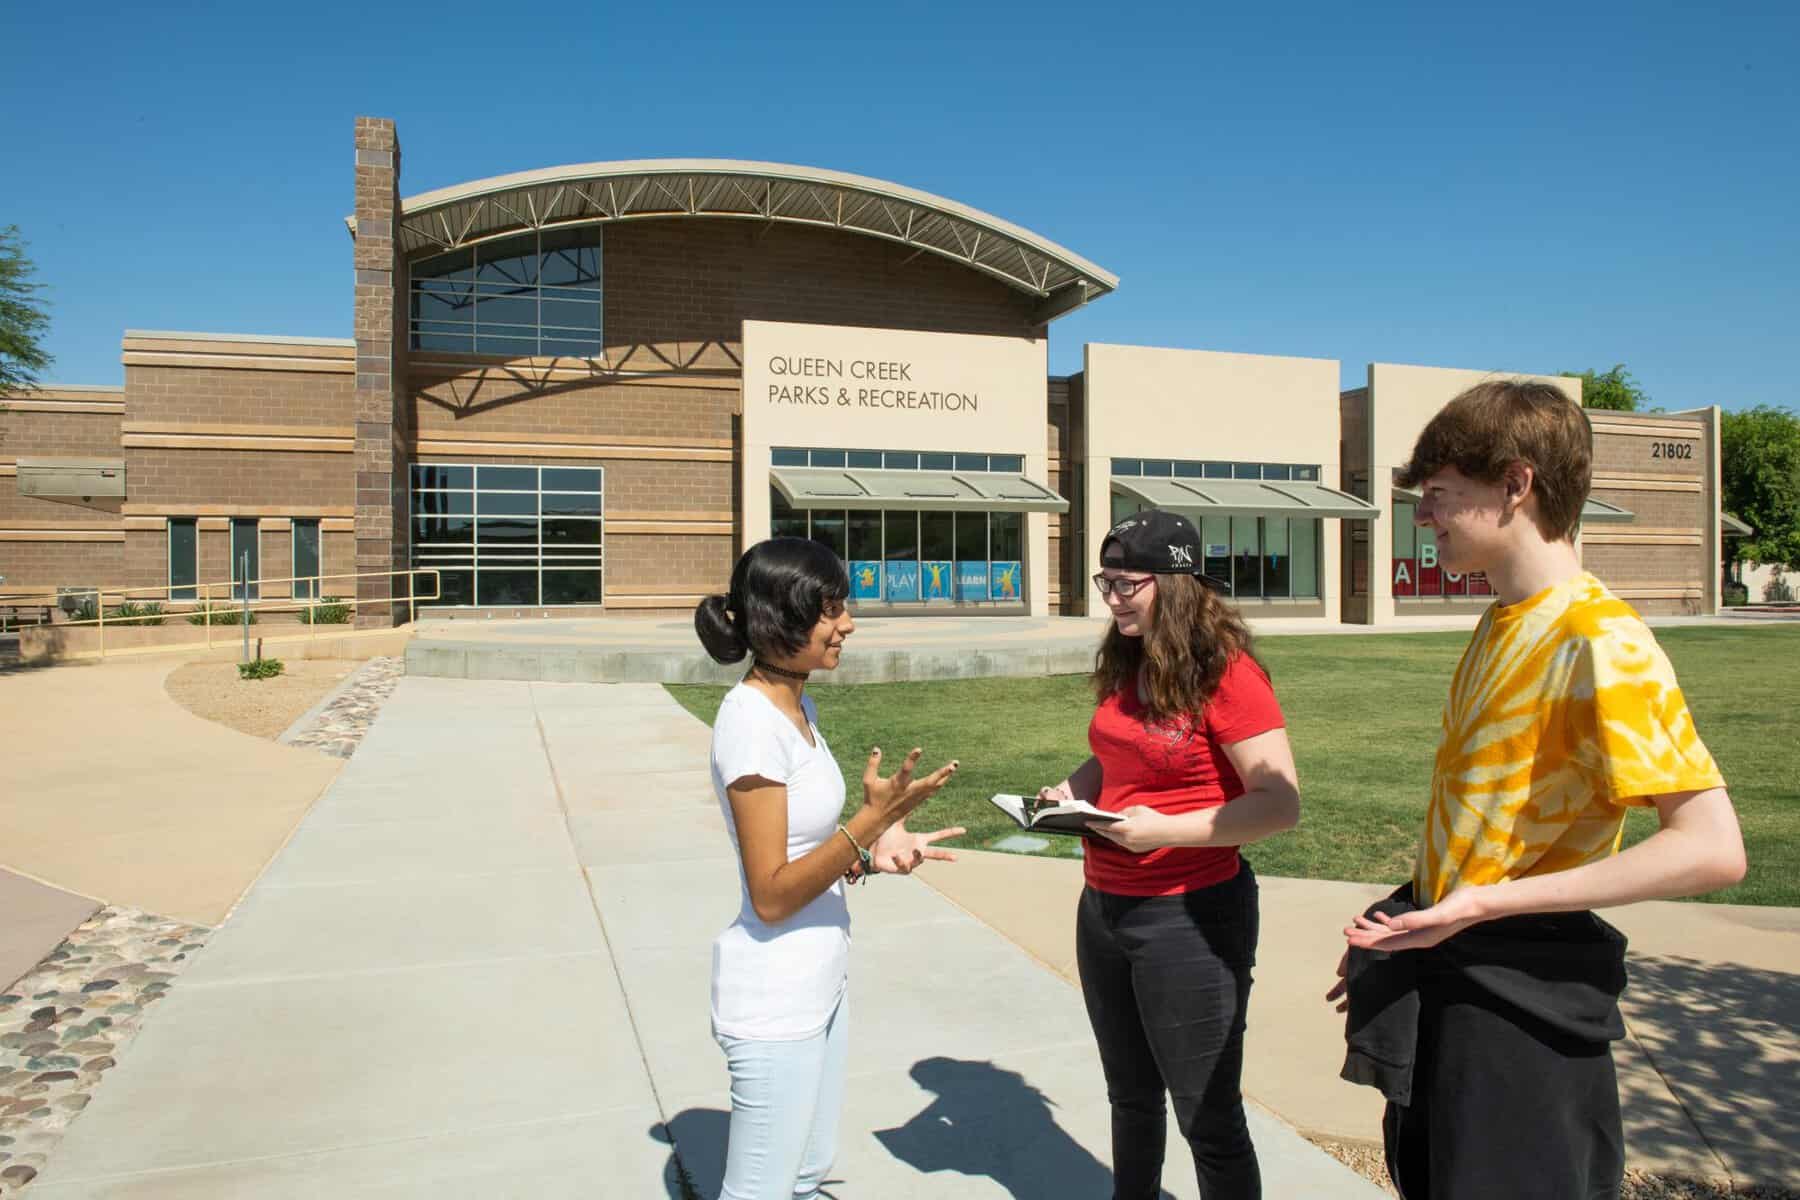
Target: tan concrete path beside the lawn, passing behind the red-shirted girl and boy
point(1709, 1070)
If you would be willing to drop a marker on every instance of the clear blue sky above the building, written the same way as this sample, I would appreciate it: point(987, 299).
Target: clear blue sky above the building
point(1531, 188)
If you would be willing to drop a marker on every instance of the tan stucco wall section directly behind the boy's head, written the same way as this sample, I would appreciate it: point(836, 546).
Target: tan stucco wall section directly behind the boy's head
point(1401, 400)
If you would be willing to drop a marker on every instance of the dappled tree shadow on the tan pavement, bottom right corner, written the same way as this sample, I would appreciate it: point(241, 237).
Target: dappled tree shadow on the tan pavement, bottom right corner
point(1725, 1039)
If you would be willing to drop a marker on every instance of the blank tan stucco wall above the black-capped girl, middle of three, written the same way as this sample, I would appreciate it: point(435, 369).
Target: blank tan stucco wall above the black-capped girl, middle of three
point(1169, 404)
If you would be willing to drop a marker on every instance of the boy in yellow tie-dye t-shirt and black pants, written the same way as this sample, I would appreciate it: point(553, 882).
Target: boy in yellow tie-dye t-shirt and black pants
point(1497, 1001)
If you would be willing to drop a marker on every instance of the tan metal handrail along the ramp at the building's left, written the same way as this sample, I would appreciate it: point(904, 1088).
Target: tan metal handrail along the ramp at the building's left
point(206, 604)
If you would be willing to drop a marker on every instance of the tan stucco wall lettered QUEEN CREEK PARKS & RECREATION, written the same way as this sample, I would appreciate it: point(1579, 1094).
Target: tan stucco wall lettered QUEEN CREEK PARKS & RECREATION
point(1005, 375)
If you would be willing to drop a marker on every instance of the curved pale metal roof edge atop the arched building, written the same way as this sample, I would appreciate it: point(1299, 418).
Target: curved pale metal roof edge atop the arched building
point(424, 202)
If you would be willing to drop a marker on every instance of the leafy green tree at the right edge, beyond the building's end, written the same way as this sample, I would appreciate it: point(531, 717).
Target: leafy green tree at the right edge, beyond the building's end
point(1759, 452)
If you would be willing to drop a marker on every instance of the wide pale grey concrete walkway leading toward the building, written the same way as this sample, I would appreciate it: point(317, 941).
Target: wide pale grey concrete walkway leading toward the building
point(481, 967)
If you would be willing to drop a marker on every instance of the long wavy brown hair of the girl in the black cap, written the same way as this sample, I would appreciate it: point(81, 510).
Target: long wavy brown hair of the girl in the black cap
point(1194, 636)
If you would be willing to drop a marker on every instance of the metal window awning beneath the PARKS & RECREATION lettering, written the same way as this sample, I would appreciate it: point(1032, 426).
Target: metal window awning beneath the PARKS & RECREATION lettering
point(931, 492)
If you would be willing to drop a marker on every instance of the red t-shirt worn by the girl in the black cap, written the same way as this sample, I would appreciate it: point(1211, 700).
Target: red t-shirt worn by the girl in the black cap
point(1174, 767)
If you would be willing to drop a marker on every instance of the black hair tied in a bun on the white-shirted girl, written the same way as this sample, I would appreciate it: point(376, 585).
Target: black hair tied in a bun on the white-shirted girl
point(778, 593)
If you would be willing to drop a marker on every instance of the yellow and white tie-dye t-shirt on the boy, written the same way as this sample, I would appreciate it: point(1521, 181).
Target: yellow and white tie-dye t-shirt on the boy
point(1563, 713)
